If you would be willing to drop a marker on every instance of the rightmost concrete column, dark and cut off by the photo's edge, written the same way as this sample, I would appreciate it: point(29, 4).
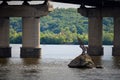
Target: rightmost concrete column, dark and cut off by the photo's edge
point(116, 42)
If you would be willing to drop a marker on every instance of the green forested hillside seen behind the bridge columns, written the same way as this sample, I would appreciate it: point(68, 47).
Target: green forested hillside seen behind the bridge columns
point(62, 26)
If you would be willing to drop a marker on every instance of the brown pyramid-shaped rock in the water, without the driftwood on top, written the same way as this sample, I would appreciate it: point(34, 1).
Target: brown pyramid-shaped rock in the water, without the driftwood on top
point(82, 61)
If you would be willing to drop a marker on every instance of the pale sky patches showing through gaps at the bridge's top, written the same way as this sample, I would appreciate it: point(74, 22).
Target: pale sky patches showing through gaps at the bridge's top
point(55, 4)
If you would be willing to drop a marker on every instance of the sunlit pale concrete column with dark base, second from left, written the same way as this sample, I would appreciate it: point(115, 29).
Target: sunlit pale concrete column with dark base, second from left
point(30, 37)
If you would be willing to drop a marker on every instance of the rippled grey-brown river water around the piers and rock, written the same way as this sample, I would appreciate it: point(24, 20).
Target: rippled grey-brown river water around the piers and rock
point(53, 65)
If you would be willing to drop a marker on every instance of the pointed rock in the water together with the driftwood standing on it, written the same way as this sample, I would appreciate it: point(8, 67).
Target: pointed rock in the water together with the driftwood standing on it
point(83, 60)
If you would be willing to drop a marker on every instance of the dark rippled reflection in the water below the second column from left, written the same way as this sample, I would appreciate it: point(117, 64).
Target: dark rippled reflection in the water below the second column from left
point(30, 70)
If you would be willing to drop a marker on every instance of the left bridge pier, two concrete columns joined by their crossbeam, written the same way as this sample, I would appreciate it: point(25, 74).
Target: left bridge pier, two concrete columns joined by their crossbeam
point(31, 28)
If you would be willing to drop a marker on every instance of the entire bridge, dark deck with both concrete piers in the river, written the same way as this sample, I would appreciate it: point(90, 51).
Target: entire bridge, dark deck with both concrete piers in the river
point(95, 10)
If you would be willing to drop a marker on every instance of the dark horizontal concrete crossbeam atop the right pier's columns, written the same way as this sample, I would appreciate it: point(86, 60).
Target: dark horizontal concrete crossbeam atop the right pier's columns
point(105, 12)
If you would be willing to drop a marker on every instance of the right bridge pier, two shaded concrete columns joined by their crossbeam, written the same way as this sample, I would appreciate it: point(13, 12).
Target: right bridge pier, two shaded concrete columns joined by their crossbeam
point(95, 28)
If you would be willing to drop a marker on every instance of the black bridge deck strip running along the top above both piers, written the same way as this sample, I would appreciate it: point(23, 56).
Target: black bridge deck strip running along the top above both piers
point(95, 3)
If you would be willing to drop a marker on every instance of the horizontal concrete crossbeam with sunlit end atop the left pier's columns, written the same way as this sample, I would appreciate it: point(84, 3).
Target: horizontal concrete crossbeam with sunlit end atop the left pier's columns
point(24, 10)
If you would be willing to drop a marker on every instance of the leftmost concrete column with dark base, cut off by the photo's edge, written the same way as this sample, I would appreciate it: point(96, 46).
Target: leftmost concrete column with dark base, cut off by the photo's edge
point(5, 50)
